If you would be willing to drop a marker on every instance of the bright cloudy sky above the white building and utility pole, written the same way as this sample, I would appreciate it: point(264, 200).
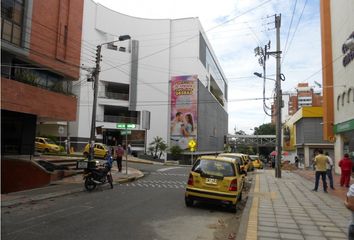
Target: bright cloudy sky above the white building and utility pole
point(243, 25)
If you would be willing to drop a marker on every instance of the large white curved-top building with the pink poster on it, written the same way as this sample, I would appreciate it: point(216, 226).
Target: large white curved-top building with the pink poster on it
point(143, 75)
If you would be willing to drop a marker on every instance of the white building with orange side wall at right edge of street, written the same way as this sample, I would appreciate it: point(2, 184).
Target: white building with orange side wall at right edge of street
point(337, 27)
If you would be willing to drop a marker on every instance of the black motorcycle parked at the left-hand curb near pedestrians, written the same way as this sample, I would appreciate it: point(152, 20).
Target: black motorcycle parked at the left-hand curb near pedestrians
point(98, 176)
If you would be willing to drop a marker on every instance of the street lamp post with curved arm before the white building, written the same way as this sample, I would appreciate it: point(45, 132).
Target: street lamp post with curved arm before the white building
point(96, 74)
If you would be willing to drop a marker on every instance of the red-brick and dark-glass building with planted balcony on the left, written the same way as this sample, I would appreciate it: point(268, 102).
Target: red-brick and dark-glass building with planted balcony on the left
point(40, 57)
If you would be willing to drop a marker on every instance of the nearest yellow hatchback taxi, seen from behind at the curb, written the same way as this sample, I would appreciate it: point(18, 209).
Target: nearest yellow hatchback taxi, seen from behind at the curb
point(215, 179)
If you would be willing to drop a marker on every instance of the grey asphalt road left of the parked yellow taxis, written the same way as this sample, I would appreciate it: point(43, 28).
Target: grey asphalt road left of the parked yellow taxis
point(150, 208)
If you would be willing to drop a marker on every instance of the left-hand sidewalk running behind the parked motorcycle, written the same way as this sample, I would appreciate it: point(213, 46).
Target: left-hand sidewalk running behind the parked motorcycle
point(66, 186)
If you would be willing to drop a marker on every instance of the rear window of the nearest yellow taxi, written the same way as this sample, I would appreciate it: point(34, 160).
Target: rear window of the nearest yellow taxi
point(214, 168)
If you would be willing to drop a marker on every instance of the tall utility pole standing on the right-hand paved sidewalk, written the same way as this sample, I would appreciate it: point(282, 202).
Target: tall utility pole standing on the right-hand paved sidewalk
point(279, 101)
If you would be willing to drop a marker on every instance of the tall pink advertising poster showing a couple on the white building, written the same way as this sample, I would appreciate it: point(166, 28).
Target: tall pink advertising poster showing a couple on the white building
point(184, 94)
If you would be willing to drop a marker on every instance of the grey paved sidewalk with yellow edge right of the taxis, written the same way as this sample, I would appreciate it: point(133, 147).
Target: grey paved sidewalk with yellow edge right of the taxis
point(286, 208)
